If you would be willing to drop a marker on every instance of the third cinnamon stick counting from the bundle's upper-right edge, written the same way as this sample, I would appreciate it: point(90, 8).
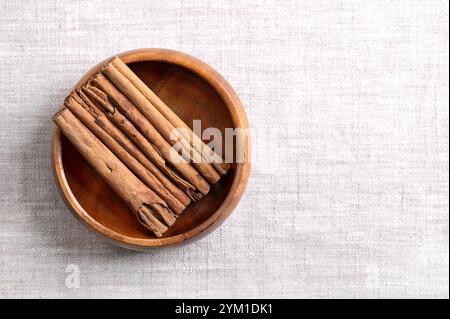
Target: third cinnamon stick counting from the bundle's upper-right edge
point(130, 111)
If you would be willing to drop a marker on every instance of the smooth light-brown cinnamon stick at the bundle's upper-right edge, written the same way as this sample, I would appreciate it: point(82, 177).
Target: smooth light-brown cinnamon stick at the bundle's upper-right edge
point(170, 115)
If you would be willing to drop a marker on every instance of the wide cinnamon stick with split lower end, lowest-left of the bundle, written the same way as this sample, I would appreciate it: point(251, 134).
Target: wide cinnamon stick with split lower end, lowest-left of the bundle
point(151, 211)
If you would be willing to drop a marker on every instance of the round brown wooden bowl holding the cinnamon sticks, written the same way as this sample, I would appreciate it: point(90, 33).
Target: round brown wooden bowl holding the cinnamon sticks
point(194, 91)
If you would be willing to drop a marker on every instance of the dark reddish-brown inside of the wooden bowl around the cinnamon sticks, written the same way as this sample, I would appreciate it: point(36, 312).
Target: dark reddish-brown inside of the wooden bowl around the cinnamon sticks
point(191, 97)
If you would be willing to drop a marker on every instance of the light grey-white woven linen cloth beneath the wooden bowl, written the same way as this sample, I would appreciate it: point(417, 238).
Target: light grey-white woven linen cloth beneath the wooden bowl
point(348, 194)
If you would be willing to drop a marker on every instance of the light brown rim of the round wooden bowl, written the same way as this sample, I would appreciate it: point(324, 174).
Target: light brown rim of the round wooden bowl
point(238, 118)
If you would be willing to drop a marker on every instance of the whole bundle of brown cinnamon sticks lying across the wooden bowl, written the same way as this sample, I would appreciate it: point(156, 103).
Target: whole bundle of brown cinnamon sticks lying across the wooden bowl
point(127, 133)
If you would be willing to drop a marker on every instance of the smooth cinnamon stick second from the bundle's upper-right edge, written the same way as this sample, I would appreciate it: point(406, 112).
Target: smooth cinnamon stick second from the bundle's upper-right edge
point(170, 133)
